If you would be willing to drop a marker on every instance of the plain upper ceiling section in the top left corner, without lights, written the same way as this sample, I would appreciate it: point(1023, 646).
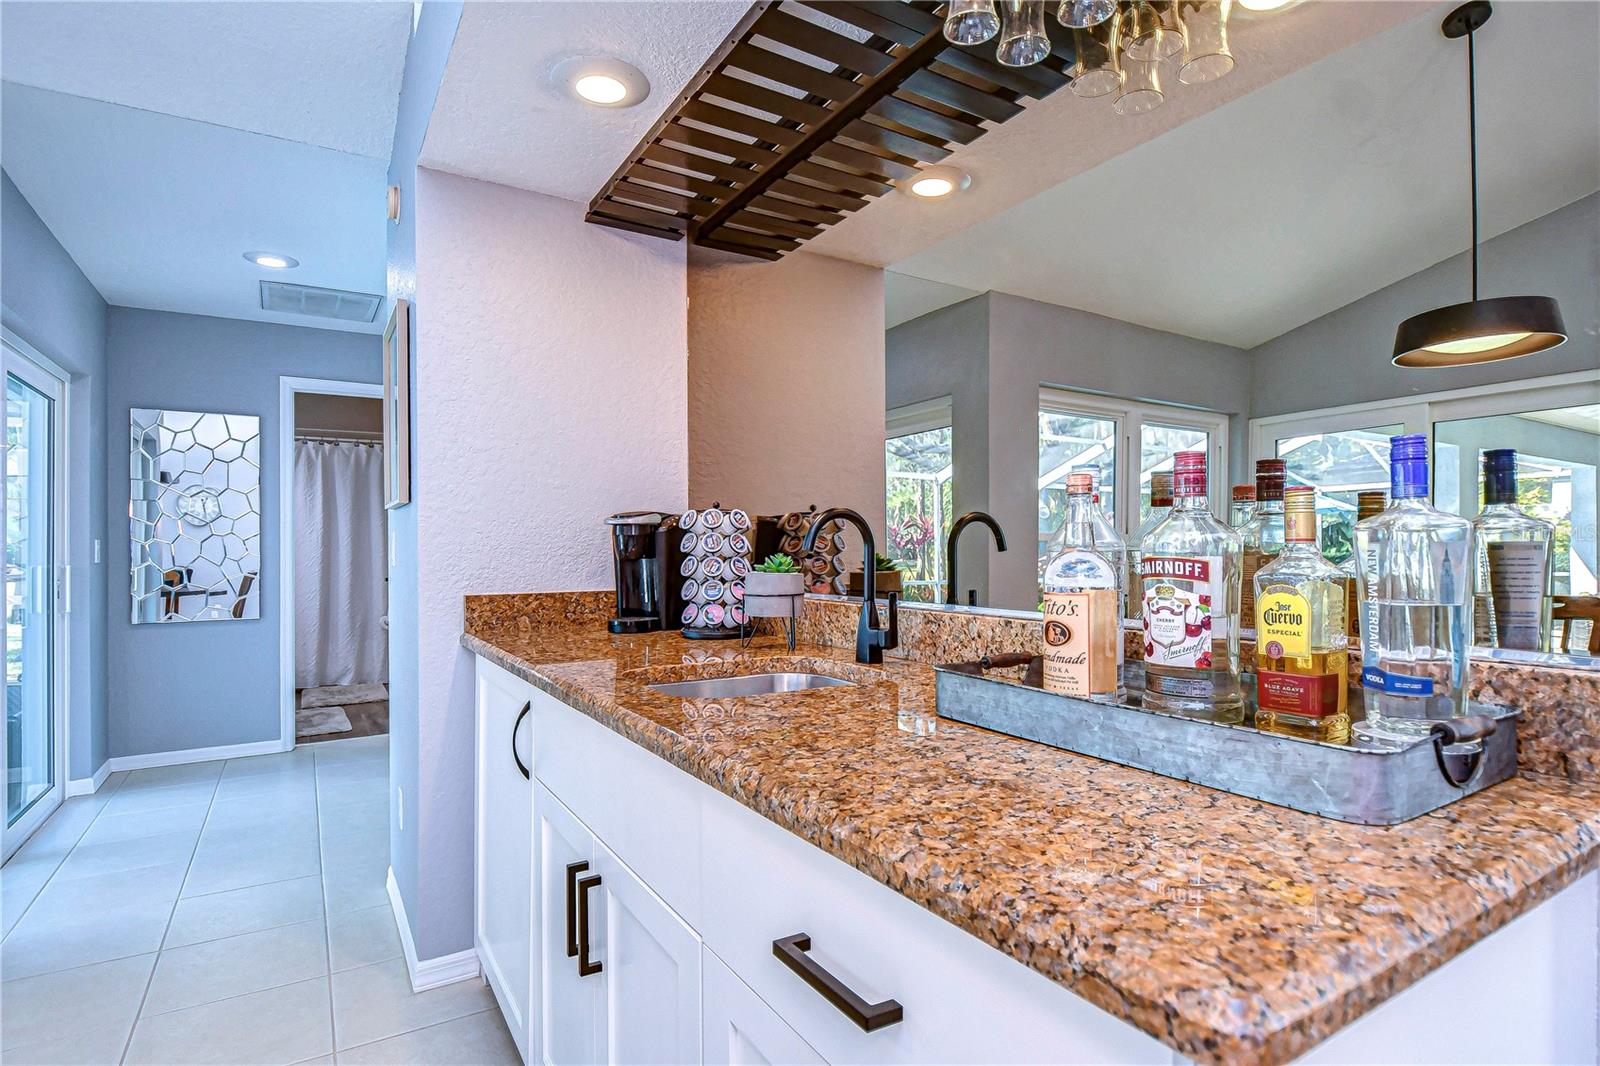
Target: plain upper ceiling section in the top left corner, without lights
point(326, 74)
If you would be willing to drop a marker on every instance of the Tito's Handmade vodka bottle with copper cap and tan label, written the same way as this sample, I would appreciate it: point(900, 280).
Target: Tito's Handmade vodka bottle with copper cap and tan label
point(1084, 606)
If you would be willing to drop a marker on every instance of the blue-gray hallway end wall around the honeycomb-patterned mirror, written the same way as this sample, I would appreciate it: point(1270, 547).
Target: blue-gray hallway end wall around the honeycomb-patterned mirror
point(186, 686)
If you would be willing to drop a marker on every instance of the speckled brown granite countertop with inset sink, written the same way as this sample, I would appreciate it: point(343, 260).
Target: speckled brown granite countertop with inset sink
point(1228, 929)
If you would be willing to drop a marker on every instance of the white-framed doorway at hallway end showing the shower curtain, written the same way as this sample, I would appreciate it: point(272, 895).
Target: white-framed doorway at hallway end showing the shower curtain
point(335, 564)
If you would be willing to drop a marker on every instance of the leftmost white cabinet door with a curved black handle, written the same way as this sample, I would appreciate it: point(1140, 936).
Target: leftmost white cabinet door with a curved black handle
point(505, 844)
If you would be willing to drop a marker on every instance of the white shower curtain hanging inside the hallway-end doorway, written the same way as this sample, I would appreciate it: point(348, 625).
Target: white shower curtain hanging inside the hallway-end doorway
point(342, 593)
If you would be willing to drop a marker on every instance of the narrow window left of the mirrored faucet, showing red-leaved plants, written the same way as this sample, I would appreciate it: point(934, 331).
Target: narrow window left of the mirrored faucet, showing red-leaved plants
point(919, 463)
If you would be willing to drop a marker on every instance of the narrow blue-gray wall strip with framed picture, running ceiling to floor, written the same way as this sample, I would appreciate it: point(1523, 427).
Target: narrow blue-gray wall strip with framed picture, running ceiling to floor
point(425, 70)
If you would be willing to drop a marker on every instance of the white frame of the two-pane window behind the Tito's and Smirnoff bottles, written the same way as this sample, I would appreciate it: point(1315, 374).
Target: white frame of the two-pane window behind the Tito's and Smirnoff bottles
point(1130, 419)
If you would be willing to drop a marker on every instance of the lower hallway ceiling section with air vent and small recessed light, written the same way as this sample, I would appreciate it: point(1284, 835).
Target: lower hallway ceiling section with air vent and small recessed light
point(159, 210)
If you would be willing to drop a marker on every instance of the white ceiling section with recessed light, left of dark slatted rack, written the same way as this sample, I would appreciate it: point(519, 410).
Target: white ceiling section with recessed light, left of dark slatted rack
point(500, 119)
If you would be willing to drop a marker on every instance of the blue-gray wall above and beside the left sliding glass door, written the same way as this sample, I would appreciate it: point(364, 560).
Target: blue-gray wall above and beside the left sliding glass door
point(49, 303)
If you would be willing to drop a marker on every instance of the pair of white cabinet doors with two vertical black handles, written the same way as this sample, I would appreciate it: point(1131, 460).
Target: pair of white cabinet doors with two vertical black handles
point(620, 969)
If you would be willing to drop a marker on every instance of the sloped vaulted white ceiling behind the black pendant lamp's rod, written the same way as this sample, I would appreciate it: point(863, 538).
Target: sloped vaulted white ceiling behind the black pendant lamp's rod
point(1313, 191)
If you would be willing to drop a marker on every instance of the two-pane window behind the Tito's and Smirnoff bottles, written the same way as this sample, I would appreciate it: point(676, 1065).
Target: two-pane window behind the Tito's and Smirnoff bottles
point(1078, 430)
